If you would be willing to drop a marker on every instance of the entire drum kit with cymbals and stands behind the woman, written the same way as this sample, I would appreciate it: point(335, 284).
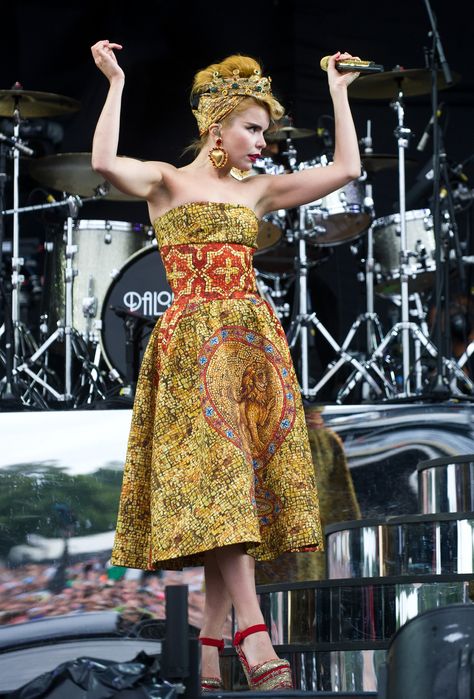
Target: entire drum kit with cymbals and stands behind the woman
point(104, 284)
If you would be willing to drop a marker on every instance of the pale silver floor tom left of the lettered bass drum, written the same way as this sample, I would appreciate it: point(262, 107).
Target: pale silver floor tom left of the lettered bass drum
point(101, 249)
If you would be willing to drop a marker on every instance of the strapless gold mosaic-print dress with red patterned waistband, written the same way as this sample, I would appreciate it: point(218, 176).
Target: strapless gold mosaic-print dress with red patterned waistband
point(218, 450)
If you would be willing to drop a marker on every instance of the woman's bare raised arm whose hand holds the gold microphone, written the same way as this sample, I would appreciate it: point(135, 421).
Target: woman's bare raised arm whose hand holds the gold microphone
point(297, 188)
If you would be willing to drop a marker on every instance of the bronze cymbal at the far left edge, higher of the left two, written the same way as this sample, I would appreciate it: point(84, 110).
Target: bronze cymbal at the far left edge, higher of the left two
point(35, 104)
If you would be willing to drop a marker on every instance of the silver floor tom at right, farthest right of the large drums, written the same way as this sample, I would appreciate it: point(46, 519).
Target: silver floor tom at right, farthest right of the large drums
point(421, 247)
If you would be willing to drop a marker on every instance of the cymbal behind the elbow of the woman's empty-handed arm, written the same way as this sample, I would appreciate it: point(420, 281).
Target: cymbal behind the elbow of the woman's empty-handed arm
point(73, 173)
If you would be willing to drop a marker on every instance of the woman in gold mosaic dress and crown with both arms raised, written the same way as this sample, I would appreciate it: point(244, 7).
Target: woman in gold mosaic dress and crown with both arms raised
point(218, 470)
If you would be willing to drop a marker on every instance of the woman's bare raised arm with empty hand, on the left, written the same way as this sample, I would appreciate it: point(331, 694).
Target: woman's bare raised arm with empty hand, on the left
point(130, 176)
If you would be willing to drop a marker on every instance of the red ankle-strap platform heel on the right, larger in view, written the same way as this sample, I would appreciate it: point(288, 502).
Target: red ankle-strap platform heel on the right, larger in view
point(271, 675)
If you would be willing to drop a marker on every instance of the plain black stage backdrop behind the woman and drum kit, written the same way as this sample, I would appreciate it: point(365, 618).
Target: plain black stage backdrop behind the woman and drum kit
point(45, 46)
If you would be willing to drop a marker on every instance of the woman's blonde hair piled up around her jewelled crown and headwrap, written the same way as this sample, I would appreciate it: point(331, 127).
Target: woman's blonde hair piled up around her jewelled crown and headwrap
point(246, 67)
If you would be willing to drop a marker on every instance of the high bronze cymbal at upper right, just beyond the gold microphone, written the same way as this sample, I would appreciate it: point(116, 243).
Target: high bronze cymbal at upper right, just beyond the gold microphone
point(411, 81)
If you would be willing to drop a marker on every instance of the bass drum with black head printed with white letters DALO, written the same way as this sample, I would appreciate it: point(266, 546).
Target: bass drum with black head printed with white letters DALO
point(138, 295)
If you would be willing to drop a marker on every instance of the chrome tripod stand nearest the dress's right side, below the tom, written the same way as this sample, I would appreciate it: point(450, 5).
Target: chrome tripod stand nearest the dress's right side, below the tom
point(303, 319)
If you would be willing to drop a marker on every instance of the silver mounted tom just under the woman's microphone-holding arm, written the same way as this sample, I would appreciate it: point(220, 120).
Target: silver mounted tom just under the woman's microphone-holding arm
point(341, 214)
